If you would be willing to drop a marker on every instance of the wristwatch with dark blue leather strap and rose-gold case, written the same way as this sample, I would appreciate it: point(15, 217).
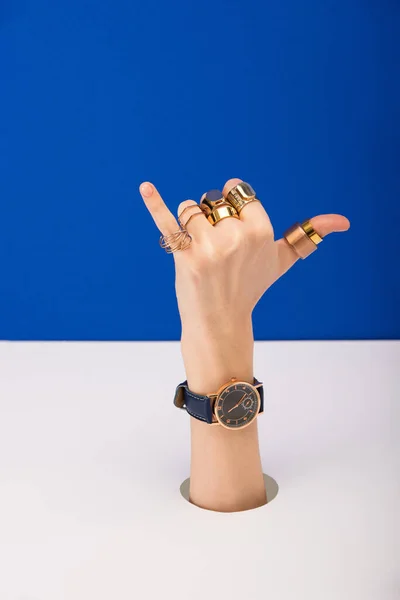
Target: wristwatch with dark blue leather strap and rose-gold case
point(235, 405)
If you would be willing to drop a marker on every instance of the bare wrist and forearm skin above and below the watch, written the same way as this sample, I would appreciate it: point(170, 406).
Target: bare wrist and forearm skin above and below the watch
point(226, 472)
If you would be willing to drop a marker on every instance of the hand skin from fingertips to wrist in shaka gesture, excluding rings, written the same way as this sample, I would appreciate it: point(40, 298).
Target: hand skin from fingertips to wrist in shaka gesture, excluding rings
point(227, 268)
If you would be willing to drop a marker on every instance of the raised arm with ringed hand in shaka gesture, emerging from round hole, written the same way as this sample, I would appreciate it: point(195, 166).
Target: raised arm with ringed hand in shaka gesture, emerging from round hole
point(223, 267)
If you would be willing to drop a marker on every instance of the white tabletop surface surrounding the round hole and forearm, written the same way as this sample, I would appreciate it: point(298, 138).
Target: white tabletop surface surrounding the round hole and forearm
point(91, 463)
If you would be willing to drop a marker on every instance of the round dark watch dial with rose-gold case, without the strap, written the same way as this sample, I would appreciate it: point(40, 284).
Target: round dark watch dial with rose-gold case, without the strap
point(237, 405)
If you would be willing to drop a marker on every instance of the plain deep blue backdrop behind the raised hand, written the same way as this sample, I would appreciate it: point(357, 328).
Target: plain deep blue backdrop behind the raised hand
point(299, 98)
